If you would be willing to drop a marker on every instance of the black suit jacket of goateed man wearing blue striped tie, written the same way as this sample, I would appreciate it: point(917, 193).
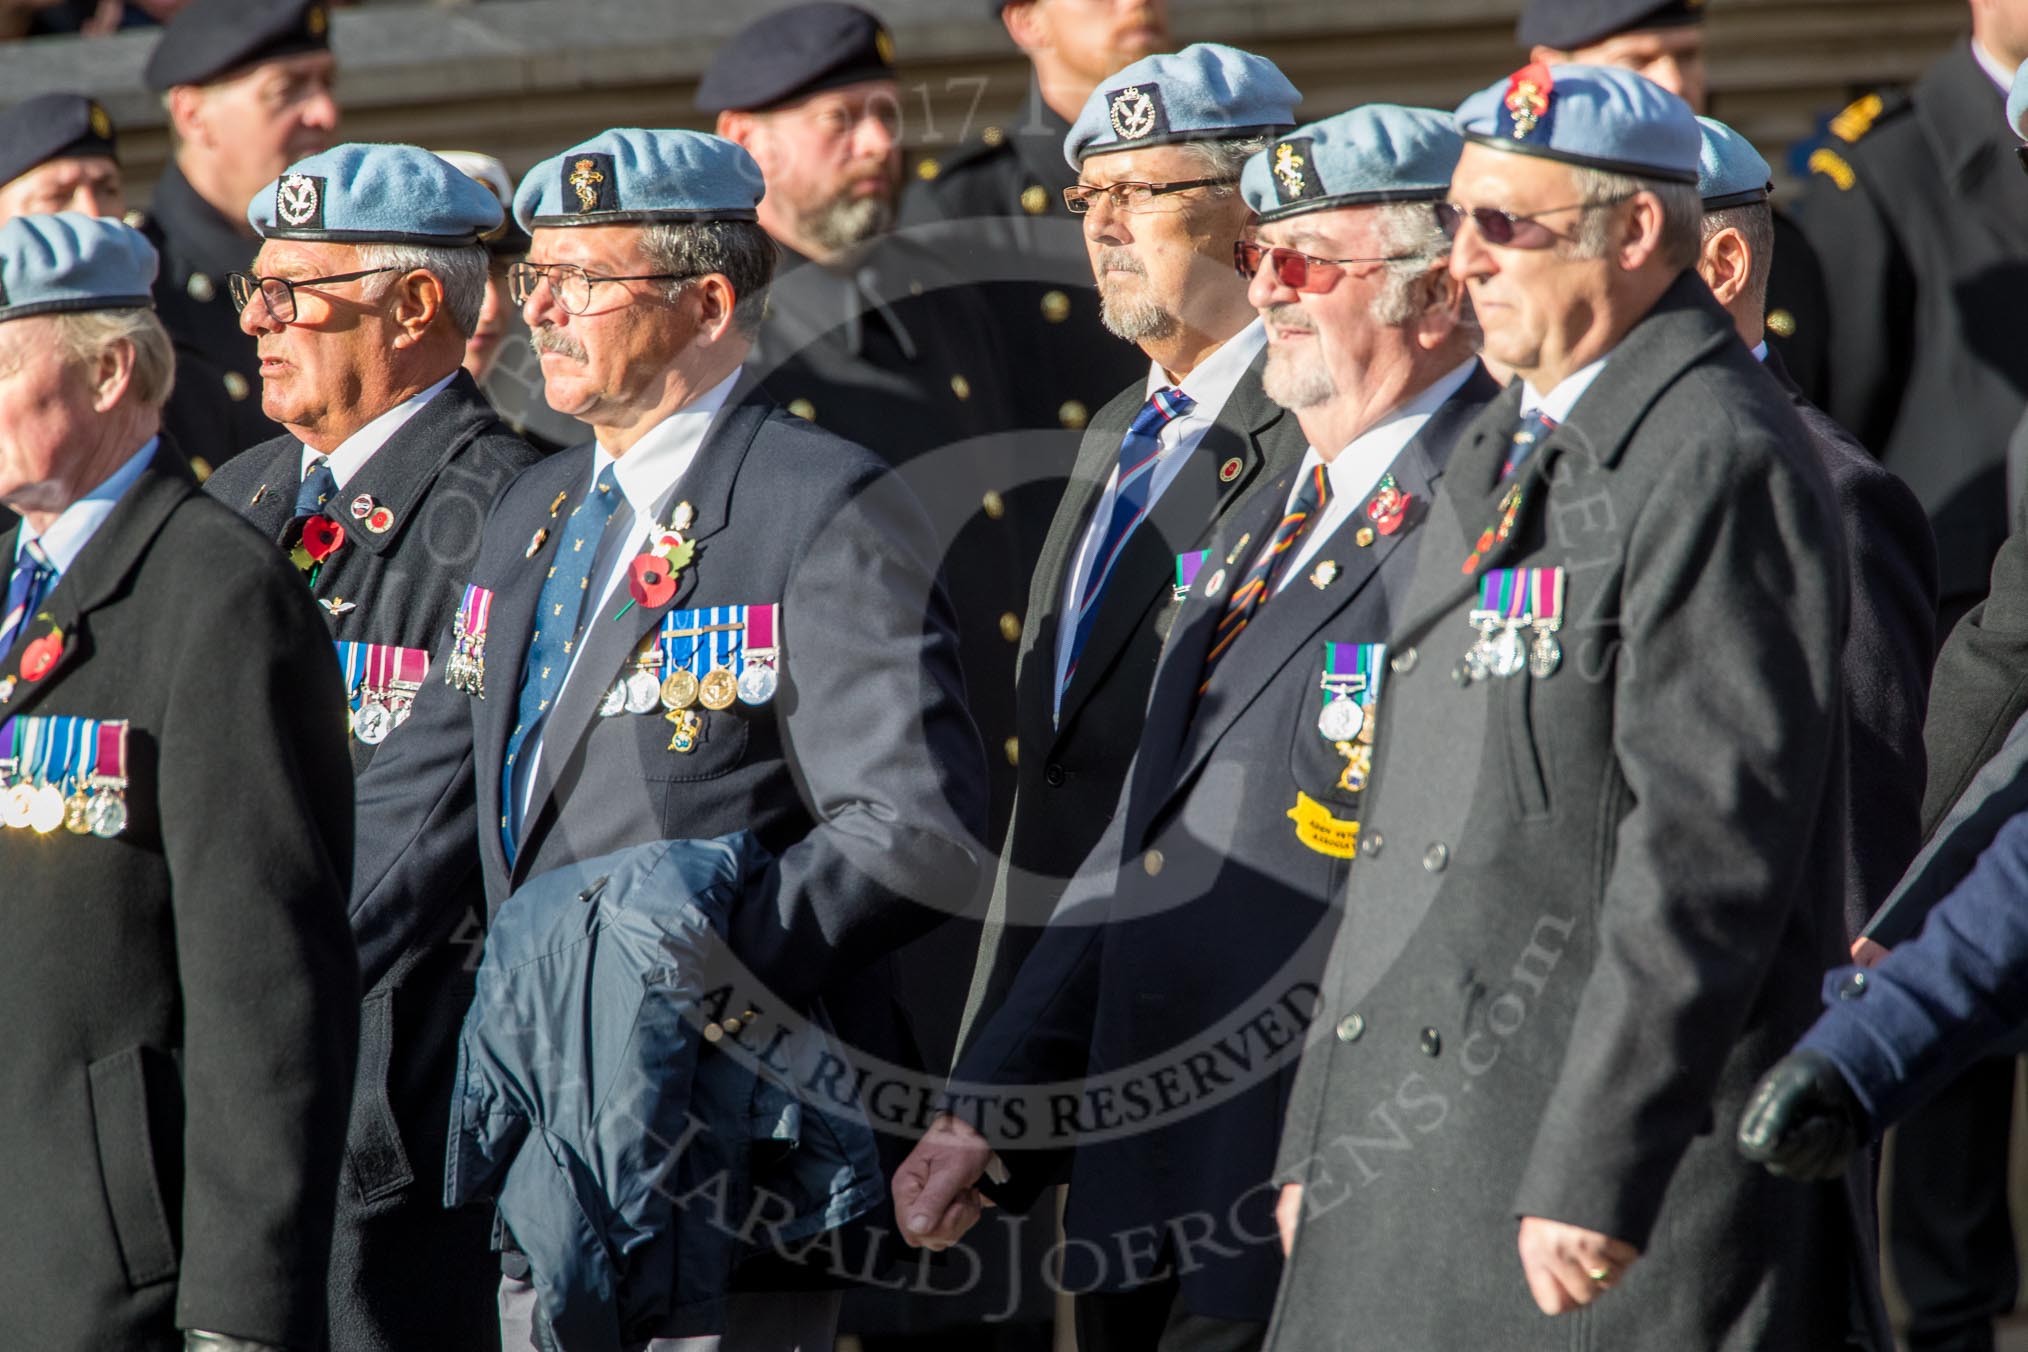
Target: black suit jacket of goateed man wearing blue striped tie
point(1072, 769)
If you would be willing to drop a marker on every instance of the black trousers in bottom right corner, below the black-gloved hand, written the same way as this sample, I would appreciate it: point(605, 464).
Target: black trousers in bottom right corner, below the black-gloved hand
point(1950, 1233)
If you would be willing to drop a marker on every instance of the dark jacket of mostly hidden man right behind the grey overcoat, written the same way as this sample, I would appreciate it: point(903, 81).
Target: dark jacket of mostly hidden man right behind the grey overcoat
point(1887, 658)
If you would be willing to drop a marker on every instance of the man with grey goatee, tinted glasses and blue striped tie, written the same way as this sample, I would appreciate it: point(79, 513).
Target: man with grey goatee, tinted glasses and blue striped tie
point(1159, 153)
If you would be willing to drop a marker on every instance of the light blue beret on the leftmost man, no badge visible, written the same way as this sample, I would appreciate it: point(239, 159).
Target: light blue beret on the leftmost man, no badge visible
point(72, 262)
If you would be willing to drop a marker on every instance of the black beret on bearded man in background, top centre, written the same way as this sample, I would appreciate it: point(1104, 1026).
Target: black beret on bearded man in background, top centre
point(796, 52)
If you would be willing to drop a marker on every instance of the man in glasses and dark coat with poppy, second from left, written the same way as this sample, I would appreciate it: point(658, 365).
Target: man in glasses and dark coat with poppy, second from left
point(366, 289)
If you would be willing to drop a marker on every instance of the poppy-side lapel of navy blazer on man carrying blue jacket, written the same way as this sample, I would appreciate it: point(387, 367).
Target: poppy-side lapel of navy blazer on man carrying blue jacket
point(613, 637)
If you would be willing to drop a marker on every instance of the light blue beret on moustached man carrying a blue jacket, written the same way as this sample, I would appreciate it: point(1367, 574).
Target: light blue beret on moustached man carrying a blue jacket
point(634, 177)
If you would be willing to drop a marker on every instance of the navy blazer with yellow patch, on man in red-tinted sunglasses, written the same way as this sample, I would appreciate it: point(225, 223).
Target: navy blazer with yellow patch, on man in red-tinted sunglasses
point(1204, 913)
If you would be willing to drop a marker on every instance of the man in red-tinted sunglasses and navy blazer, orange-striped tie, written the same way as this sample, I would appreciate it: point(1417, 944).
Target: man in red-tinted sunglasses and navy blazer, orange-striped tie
point(1212, 889)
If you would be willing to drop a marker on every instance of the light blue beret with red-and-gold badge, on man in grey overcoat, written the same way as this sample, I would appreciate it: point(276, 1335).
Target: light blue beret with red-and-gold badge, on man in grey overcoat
point(1587, 115)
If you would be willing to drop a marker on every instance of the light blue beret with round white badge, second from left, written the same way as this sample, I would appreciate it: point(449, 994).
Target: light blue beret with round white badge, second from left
point(360, 194)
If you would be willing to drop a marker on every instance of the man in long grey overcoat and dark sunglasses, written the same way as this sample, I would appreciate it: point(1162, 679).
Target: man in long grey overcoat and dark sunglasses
point(1601, 860)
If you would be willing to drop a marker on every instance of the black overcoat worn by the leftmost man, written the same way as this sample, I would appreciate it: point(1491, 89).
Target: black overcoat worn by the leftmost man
point(182, 998)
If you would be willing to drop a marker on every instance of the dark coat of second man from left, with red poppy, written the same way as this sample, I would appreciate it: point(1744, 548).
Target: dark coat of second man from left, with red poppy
point(439, 475)
